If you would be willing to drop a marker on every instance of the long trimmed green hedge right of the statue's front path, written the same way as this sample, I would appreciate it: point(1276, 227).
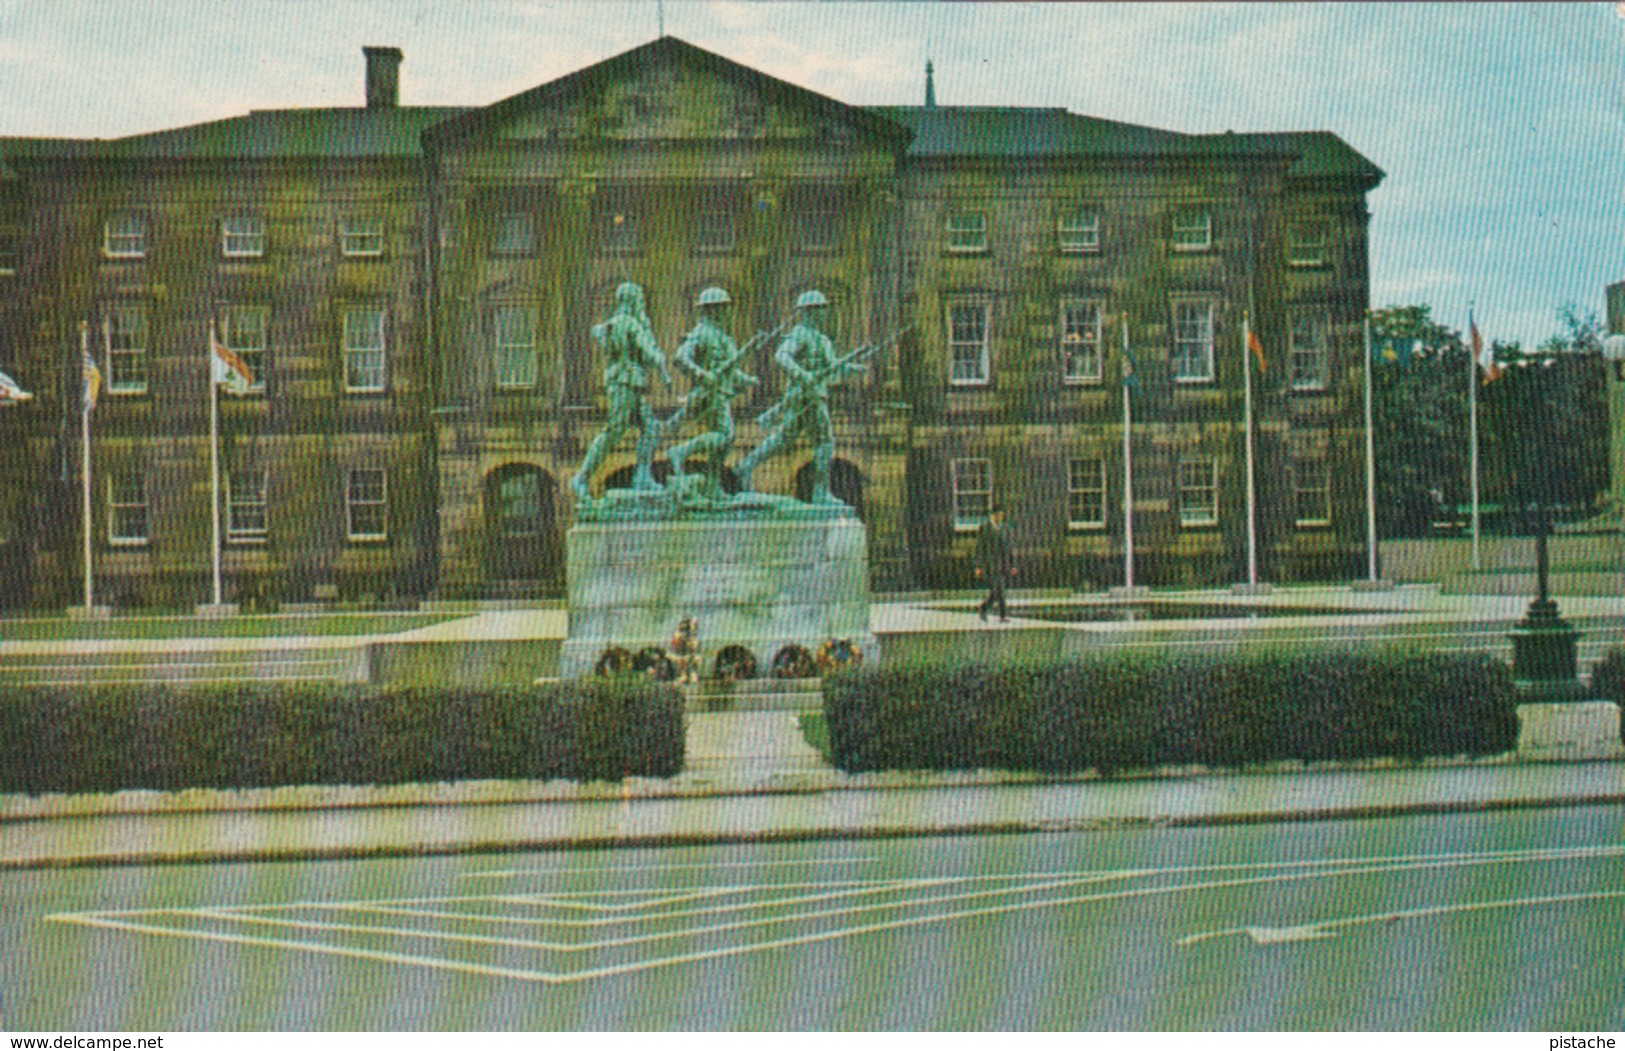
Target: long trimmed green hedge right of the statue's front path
point(1120, 712)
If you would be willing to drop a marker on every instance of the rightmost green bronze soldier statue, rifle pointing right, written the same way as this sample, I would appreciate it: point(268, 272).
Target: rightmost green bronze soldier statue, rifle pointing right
point(810, 360)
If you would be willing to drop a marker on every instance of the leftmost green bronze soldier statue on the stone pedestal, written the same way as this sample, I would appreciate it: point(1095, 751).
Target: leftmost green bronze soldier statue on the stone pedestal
point(631, 352)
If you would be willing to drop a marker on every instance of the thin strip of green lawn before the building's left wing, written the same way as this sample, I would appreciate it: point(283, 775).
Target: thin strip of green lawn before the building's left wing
point(51, 629)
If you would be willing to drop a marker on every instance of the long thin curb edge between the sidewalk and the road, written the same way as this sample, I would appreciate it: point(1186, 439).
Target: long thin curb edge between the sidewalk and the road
point(797, 836)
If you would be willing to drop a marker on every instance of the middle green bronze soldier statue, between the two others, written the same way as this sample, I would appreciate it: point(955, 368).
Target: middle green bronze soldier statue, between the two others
point(711, 360)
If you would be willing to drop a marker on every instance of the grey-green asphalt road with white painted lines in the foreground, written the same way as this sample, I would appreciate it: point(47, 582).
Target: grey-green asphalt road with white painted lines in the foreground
point(1499, 922)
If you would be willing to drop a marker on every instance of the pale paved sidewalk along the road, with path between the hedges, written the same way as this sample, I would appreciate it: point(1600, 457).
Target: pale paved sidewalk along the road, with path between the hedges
point(752, 777)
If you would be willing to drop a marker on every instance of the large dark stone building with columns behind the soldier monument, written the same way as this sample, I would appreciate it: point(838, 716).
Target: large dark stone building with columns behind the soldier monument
point(414, 288)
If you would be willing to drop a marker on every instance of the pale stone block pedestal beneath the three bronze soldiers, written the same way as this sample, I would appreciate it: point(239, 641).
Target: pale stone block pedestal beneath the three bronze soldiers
point(761, 584)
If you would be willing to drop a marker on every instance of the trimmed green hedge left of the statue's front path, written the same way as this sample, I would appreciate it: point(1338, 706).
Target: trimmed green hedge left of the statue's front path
point(113, 738)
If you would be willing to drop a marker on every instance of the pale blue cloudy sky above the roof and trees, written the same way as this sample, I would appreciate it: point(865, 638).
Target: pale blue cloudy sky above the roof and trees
point(1501, 128)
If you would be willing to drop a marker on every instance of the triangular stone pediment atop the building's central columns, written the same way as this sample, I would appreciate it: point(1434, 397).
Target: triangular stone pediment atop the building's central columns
point(670, 92)
